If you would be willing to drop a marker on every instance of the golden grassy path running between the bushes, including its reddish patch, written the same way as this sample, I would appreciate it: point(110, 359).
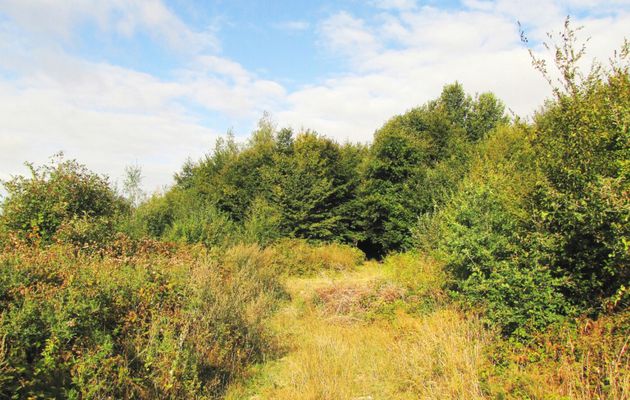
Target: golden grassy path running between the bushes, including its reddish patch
point(347, 336)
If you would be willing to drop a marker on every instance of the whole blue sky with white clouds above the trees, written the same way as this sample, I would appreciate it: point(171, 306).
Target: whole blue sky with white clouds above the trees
point(151, 83)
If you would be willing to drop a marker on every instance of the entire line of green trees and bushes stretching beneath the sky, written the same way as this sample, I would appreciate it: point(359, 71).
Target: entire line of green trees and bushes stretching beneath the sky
point(530, 219)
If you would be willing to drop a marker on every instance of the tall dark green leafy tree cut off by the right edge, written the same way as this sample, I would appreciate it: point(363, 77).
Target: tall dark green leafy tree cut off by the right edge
point(583, 203)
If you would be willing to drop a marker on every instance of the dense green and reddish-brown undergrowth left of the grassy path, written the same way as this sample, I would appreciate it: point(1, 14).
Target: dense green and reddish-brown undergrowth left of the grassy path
point(170, 325)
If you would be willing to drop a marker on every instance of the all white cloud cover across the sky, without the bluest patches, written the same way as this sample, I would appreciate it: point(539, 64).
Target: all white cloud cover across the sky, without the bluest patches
point(109, 116)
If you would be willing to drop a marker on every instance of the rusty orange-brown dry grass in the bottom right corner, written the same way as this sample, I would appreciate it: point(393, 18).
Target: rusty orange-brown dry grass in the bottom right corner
point(591, 362)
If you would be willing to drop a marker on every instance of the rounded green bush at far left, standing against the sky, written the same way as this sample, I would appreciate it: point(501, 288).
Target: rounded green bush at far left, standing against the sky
point(59, 195)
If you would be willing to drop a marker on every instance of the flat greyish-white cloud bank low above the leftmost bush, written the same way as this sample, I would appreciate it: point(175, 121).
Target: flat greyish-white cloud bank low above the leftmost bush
point(38, 123)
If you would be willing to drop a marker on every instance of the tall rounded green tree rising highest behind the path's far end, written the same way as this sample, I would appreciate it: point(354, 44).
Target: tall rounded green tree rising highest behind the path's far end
point(416, 161)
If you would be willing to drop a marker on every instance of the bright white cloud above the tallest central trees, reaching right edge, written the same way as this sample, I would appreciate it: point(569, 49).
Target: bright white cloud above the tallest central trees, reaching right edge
point(402, 60)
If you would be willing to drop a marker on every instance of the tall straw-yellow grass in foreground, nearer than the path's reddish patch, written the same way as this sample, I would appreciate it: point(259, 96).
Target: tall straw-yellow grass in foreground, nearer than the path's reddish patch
point(436, 357)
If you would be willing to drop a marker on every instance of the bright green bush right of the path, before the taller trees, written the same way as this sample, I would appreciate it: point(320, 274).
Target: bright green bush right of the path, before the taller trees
point(490, 268)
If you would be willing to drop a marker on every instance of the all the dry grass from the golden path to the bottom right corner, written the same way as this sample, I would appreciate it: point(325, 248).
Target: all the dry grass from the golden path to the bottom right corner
point(381, 331)
